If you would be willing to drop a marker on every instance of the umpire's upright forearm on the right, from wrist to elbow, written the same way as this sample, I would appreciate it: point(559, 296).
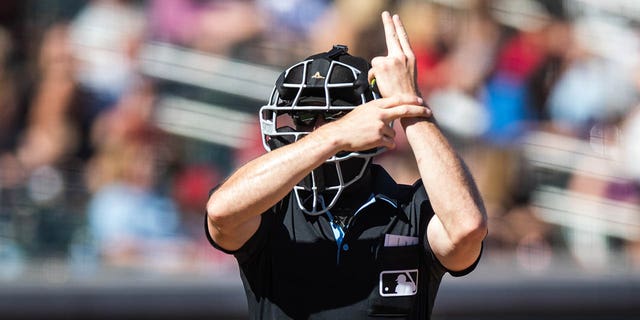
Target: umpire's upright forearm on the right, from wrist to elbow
point(452, 191)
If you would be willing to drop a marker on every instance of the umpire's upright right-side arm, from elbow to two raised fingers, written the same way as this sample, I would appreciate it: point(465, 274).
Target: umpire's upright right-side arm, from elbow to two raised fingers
point(456, 231)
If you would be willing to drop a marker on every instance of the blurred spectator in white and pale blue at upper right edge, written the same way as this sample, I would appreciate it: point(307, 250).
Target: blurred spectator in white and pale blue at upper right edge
point(598, 82)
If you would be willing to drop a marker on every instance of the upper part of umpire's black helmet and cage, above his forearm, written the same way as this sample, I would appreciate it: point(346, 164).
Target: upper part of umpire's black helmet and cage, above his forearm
point(329, 81)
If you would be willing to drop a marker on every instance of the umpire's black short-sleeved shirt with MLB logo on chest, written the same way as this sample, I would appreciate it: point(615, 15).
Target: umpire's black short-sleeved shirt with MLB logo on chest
point(298, 266)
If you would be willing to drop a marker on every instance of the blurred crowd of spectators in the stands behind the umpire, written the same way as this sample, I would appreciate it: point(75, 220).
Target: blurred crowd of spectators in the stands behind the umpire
point(88, 178)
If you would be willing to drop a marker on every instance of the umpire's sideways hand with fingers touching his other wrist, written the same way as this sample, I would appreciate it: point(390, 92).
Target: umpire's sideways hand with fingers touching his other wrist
point(367, 126)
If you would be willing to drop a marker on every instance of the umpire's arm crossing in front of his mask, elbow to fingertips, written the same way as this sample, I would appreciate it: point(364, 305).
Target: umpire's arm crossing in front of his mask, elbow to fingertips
point(234, 209)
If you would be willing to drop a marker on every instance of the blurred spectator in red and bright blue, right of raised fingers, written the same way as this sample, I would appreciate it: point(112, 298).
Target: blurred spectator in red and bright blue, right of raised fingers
point(528, 39)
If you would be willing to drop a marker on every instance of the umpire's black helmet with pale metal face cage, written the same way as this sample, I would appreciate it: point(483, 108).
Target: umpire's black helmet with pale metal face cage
point(332, 83)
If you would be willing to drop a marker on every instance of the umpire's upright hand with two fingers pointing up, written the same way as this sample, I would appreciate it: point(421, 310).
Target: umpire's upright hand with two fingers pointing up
point(395, 73)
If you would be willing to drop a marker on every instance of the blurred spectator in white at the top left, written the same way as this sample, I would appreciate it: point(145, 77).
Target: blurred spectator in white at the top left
point(105, 37)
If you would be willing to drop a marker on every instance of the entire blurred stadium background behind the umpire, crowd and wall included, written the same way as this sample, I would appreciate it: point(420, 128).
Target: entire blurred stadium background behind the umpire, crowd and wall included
point(117, 117)
